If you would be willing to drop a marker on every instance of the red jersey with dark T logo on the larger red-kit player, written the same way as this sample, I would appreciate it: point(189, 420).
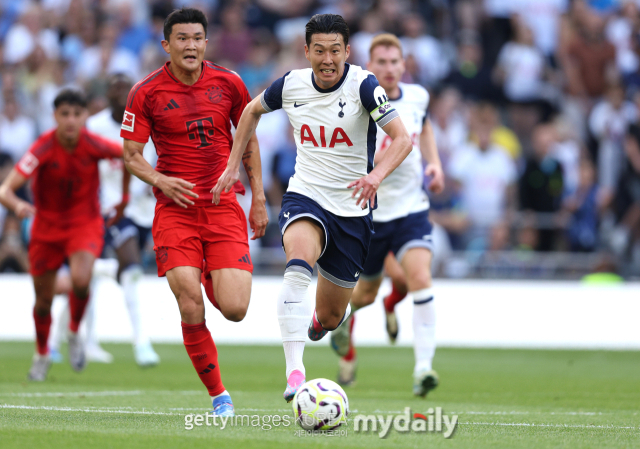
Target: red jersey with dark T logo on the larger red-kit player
point(190, 125)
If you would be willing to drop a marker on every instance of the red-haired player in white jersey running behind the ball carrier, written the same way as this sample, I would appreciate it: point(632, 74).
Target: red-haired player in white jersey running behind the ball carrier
point(401, 220)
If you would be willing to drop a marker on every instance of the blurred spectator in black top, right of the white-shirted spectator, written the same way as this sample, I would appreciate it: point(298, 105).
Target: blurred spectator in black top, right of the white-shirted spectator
point(541, 184)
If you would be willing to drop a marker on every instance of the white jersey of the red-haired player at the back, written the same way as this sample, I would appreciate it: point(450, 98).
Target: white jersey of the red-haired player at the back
point(402, 193)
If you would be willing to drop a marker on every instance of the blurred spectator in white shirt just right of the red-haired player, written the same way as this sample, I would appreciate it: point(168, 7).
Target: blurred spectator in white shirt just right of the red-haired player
point(485, 176)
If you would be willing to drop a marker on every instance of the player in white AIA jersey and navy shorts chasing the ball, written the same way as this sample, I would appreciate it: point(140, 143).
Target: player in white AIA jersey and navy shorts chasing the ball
point(334, 109)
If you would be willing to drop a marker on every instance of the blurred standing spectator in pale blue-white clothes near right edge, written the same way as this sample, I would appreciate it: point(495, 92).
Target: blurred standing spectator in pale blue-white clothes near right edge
point(608, 122)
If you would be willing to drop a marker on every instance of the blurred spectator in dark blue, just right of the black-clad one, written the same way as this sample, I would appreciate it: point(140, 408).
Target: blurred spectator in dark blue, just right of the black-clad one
point(583, 206)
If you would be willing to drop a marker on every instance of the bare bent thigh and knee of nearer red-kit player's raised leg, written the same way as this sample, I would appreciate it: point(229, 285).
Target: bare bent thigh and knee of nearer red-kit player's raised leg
point(232, 290)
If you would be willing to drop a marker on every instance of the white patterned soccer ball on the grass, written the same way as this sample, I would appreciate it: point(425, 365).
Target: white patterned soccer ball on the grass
point(320, 404)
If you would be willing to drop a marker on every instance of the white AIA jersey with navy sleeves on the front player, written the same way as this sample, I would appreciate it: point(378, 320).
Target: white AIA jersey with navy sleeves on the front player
point(334, 130)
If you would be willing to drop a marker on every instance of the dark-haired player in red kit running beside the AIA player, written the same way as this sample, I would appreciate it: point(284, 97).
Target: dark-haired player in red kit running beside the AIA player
point(187, 108)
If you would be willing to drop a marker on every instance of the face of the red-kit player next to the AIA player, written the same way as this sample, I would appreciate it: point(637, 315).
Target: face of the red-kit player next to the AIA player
point(186, 46)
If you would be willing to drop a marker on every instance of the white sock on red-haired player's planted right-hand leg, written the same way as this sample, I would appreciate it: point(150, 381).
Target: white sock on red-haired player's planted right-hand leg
point(424, 328)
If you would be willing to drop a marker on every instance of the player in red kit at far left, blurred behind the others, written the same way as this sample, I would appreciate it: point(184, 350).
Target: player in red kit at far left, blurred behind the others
point(63, 164)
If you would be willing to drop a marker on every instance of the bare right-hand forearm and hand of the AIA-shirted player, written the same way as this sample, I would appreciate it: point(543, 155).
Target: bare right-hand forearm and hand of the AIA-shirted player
point(398, 150)
